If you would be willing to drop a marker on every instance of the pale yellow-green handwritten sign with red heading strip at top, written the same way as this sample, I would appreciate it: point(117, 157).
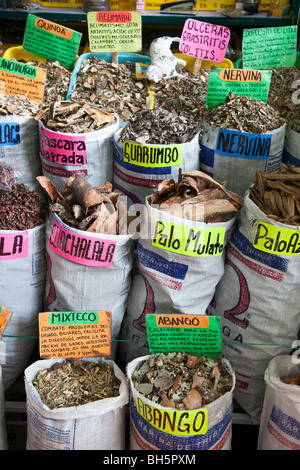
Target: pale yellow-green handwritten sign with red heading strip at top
point(115, 31)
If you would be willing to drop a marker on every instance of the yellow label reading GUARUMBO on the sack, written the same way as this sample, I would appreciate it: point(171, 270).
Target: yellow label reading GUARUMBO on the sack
point(152, 155)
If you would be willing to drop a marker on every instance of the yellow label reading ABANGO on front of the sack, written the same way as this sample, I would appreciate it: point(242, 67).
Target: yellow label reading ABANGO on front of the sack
point(178, 422)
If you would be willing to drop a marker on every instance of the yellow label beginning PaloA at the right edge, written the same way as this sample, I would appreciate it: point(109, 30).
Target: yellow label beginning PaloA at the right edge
point(277, 240)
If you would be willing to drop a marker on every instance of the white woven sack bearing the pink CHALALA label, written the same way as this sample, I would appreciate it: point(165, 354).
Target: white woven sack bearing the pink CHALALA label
point(79, 283)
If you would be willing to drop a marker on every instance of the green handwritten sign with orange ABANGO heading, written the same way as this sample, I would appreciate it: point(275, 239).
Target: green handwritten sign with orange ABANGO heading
point(198, 335)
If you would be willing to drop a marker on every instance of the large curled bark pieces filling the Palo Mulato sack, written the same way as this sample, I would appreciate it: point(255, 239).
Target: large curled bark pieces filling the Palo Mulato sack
point(196, 196)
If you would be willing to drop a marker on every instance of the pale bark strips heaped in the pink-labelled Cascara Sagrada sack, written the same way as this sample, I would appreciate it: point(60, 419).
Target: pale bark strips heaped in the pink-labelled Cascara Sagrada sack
point(75, 117)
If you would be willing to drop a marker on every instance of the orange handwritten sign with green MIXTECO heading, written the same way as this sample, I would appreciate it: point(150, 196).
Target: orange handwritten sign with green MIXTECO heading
point(75, 334)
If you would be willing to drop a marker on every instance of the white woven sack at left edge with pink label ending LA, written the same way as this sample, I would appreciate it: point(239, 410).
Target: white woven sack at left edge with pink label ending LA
point(22, 289)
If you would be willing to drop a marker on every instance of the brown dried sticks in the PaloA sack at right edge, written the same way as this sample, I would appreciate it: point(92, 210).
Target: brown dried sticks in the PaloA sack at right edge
point(277, 194)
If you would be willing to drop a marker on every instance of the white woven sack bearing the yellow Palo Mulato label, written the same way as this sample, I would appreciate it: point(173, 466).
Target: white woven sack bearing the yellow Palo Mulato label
point(169, 282)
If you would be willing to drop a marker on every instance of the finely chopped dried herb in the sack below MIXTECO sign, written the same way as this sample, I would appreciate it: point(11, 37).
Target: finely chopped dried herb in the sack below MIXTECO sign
point(76, 383)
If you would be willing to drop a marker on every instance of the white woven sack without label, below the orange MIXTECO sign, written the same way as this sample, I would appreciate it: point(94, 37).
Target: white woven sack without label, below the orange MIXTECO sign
point(99, 425)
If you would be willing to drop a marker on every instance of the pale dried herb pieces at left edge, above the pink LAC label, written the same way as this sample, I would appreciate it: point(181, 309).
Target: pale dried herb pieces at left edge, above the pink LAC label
point(18, 105)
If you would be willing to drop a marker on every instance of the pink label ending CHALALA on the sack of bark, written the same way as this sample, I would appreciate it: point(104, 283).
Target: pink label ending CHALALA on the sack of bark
point(81, 249)
